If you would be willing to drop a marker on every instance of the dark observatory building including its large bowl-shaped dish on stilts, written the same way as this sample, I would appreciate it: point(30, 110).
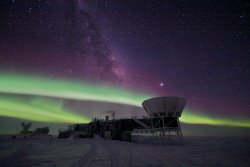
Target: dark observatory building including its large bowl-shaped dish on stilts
point(162, 123)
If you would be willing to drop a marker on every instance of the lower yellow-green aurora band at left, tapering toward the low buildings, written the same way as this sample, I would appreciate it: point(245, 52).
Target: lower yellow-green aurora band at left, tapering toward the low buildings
point(47, 112)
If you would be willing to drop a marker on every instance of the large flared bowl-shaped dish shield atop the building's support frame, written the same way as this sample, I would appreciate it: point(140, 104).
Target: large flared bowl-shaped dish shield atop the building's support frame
point(164, 106)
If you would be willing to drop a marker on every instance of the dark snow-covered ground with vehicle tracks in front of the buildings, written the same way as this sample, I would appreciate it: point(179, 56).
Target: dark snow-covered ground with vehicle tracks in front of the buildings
point(97, 152)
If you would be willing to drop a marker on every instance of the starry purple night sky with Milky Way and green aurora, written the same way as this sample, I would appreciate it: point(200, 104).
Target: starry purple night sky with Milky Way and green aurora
point(199, 50)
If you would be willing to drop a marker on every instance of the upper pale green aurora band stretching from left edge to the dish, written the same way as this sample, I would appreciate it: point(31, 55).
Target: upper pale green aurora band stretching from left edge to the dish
point(17, 84)
